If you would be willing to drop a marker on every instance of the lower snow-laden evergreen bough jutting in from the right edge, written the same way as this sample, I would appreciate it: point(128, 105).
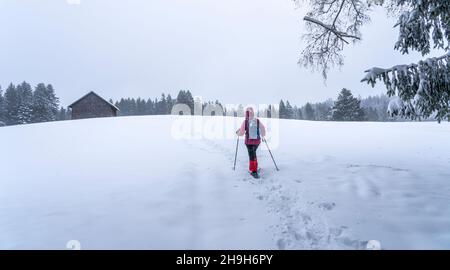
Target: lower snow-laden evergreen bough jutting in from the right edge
point(423, 88)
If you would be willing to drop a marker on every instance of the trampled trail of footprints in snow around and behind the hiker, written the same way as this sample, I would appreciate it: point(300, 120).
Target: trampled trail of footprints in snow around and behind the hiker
point(299, 224)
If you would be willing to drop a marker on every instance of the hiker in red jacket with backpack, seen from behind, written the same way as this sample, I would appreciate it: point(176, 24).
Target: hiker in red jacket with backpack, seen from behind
point(253, 130)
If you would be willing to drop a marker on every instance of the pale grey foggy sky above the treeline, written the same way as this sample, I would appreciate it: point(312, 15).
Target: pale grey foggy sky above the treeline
point(237, 51)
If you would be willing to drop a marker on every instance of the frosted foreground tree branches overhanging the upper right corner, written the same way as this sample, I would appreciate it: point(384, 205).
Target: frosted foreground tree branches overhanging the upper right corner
point(422, 87)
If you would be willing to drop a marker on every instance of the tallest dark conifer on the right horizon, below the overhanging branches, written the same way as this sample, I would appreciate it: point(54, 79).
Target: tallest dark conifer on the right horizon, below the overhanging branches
point(347, 108)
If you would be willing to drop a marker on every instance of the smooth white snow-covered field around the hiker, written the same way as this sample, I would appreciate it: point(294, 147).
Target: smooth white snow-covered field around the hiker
point(130, 183)
